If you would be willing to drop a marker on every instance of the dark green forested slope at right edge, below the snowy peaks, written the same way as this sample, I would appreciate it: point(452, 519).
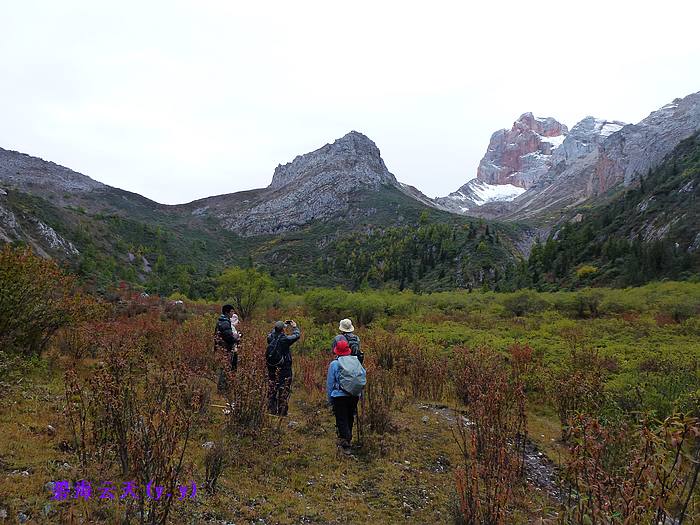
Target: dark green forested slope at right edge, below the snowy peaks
point(643, 232)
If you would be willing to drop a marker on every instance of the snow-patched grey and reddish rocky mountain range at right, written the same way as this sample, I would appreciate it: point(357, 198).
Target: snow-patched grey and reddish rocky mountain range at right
point(594, 157)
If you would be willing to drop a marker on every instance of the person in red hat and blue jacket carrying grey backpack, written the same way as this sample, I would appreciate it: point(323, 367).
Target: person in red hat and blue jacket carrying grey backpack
point(344, 384)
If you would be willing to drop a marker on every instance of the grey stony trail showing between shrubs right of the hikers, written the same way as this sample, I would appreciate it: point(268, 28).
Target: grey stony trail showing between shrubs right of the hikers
point(540, 471)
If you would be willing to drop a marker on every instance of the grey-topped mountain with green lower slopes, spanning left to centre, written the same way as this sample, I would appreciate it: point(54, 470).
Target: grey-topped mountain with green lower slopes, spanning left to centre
point(294, 226)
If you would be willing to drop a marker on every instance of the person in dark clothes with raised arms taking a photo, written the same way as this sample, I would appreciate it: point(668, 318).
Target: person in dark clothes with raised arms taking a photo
point(279, 366)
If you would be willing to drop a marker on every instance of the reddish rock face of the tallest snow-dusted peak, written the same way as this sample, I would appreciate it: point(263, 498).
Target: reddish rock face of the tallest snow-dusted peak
point(519, 155)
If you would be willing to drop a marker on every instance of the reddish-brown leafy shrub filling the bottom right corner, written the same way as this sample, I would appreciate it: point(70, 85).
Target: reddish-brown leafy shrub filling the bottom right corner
point(644, 473)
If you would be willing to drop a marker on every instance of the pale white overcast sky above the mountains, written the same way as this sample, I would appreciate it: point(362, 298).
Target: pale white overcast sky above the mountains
point(182, 100)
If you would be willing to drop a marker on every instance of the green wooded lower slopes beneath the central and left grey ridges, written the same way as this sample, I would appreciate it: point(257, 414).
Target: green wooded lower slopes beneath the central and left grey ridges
point(387, 238)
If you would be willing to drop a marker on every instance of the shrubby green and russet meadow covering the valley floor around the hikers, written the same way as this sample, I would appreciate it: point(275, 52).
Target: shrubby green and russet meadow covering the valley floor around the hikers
point(482, 407)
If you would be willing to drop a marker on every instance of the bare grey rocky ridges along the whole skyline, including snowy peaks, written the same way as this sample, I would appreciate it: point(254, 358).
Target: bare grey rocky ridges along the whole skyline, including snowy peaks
point(538, 170)
